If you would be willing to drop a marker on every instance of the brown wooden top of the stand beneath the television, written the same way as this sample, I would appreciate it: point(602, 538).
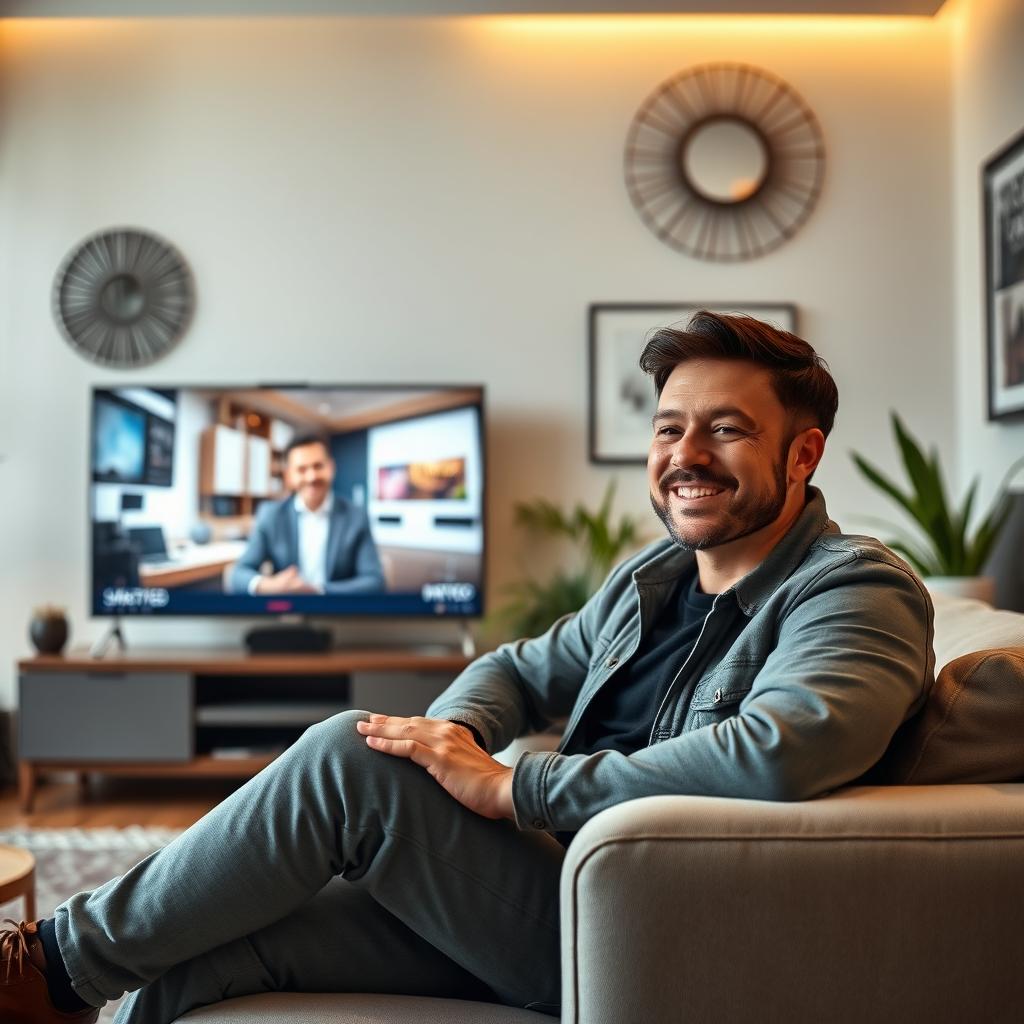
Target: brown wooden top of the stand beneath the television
point(230, 661)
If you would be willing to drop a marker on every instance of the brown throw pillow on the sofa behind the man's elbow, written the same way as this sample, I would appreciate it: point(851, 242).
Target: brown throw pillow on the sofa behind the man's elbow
point(971, 729)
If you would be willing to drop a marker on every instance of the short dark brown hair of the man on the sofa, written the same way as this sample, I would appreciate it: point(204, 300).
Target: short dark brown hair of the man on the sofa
point(801, 378)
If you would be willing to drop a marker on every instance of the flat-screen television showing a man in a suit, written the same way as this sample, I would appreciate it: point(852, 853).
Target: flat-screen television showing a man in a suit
point(358, 500)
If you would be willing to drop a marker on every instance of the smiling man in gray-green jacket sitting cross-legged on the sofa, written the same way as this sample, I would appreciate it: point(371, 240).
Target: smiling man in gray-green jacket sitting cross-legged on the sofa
point(757, 652)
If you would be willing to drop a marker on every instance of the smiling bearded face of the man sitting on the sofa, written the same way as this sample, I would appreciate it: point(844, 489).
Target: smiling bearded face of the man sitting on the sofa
point(718, 461)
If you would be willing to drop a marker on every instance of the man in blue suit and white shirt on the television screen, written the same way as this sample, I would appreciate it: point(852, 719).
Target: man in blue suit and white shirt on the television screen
point(318, 542)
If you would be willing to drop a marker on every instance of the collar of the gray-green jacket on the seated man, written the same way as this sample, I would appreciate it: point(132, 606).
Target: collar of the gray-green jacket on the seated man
point(763, 580)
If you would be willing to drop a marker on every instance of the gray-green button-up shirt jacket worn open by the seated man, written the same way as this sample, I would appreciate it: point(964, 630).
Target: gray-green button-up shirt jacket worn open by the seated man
point(801, 675)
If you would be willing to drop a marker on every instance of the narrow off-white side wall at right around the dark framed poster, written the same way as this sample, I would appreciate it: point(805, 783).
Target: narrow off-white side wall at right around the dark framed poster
point(989, 111)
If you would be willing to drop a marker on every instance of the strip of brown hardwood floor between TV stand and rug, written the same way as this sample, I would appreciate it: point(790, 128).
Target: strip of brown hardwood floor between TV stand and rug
point(107, 803)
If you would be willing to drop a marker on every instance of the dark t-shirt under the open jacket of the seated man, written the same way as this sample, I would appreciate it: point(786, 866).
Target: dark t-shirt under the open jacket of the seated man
point(623, 714)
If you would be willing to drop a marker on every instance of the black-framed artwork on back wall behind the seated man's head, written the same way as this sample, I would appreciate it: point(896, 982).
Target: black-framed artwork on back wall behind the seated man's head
point(622, 396)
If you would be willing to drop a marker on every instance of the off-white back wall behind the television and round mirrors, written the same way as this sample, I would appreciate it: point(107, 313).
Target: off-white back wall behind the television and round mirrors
point(438, 201)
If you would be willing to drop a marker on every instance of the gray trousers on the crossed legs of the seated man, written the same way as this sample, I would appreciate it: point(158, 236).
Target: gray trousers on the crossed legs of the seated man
point(337, 869)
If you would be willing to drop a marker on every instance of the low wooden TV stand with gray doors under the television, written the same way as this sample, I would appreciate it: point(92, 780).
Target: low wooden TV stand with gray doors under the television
point(150, 713)
